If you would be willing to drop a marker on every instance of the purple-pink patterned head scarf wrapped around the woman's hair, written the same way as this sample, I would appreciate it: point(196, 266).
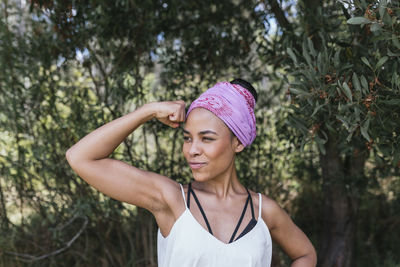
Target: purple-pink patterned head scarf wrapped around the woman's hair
point(234, 105)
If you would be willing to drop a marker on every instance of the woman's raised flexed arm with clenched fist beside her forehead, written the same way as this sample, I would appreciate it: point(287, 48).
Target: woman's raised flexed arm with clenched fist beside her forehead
point(89, 158)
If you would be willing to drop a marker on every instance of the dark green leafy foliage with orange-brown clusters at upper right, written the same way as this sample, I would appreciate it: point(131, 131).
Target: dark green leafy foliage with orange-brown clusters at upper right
point(349, 86)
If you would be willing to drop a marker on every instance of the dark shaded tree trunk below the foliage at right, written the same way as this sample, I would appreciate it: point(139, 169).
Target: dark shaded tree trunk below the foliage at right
point(340, 206)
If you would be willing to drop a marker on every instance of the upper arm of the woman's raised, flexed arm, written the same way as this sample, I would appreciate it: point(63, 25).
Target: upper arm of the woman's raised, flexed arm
point(124, 182)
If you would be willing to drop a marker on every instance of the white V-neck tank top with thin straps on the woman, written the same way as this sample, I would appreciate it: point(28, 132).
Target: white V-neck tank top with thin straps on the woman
point(190, 245)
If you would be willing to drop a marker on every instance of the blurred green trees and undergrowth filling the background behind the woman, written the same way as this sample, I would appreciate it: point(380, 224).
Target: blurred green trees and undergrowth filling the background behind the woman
point(327, 74)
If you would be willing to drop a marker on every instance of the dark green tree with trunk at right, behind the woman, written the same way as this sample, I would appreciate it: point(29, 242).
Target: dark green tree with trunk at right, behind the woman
point(344, 88)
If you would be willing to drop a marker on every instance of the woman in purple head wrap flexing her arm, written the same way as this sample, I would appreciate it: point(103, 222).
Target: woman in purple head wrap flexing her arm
point(213, 221)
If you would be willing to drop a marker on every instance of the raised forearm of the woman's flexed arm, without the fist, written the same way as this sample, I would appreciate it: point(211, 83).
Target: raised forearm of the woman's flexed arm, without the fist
point(104, 140)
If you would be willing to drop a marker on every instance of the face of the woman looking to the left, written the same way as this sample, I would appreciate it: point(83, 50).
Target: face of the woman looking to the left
point(209, 146)
